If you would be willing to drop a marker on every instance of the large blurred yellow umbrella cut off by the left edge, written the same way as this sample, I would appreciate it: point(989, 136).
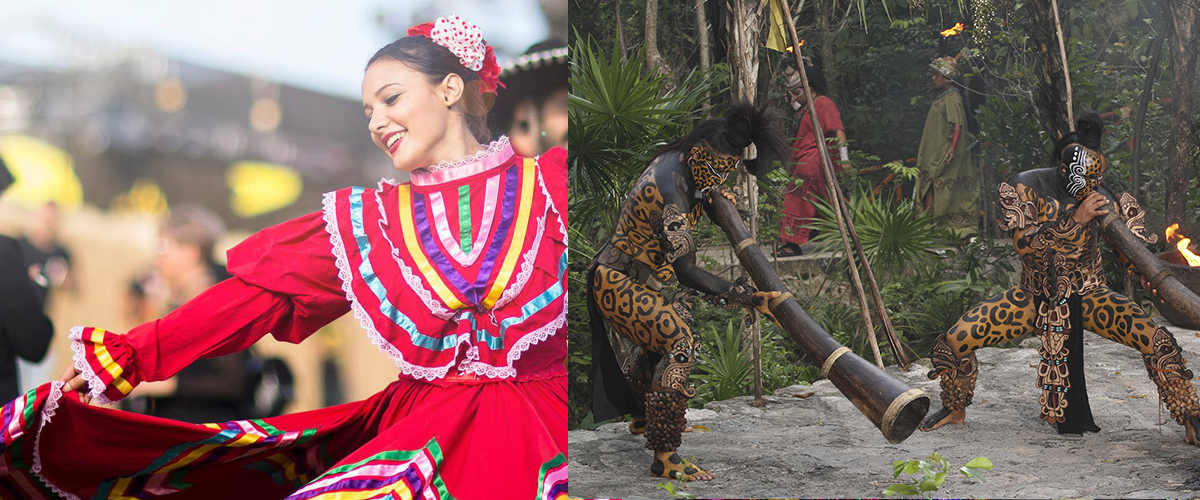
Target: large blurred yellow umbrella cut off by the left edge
point(44, 172)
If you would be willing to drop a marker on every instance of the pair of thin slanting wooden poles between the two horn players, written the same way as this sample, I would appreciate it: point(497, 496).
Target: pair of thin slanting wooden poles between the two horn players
point(845, 225)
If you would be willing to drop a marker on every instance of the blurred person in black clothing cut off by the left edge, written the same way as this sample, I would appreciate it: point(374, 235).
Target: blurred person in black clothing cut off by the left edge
point(25, 329)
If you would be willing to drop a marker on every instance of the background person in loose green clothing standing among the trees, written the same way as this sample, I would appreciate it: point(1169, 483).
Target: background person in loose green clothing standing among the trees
point(947, 182)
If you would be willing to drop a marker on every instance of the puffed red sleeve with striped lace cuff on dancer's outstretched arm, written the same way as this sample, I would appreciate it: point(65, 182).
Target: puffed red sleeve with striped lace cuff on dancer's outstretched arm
point(285, 284)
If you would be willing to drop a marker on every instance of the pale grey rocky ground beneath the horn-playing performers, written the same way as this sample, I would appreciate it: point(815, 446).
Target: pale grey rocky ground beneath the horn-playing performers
point(821, 447)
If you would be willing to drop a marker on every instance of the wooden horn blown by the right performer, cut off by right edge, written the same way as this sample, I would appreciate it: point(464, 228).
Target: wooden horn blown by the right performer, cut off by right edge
point(1156, 272)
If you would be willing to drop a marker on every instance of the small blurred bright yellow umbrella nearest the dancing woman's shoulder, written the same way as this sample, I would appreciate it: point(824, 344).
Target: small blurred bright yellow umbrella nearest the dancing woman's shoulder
point(261, 188)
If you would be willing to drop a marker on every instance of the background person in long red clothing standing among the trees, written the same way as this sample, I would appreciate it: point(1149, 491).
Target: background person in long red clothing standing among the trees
point(808, 178)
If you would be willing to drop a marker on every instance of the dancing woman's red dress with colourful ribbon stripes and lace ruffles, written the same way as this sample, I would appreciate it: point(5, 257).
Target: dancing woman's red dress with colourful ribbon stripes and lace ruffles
point(458, 276)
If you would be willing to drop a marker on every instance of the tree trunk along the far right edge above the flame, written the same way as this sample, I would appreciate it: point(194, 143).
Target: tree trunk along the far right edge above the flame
point(1183, 29)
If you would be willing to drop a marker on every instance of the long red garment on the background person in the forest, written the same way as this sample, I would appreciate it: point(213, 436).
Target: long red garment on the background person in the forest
point(806, 168)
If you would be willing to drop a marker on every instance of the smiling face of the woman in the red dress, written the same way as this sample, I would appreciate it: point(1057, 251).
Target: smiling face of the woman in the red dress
point(409, 117)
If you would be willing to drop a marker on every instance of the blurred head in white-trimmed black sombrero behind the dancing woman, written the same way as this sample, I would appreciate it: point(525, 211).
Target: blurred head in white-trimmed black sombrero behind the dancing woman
point(532, 111)
